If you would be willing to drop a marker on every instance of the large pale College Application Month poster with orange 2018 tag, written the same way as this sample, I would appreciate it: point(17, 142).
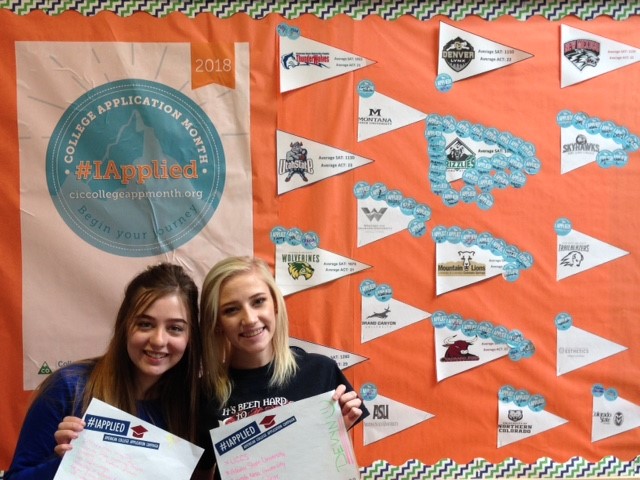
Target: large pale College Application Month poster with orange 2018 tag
point(129, 155)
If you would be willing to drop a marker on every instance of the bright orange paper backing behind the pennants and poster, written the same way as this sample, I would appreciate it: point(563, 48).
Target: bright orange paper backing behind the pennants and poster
point(524, 99)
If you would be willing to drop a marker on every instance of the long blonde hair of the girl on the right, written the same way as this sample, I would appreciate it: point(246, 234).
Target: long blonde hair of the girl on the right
point(217, 349)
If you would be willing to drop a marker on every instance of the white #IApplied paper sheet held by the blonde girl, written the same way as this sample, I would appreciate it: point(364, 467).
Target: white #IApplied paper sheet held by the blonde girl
point(305, 439)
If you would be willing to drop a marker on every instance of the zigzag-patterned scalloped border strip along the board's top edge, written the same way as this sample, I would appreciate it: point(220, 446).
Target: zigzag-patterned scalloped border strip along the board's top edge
point(356, 9)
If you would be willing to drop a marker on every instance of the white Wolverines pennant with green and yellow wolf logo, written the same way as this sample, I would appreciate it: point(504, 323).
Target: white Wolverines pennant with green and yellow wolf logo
point(298, 269)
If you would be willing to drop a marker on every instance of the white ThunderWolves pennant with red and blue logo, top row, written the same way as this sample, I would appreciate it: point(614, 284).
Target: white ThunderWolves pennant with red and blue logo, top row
point(304, 61)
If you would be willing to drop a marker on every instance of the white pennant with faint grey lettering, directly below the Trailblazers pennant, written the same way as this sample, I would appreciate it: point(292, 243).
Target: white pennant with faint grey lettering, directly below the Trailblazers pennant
point(577, 348)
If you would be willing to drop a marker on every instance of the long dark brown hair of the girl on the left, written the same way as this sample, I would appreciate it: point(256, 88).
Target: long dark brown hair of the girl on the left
point(112, 380)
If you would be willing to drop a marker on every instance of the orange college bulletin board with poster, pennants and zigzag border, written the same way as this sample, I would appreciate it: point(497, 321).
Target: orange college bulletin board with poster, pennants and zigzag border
point(446, 194)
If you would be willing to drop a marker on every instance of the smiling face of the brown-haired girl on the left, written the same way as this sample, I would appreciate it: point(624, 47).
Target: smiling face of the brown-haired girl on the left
point(157, 340)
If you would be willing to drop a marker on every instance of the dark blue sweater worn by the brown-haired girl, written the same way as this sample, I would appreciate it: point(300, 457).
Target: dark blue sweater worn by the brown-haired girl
point(34, 458)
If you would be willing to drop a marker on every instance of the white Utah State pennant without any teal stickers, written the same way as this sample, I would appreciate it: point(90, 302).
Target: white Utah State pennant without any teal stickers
point(302, 162)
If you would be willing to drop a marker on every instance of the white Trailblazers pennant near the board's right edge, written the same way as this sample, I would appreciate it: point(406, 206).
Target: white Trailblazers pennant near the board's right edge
point(578, 252)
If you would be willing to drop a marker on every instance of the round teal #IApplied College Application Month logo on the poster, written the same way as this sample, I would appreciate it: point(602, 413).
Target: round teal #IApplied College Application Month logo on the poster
point(135, 168)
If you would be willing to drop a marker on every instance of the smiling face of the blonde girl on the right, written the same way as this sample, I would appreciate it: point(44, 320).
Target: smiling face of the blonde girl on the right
point(247, 317)
